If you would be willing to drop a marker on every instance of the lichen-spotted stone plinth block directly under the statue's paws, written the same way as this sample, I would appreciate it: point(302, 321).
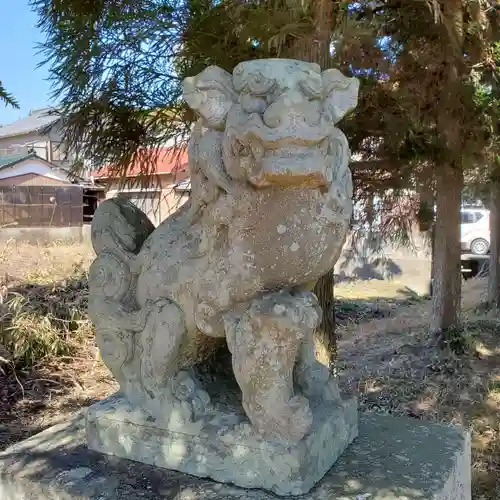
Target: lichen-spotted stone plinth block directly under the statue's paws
point(223, 446)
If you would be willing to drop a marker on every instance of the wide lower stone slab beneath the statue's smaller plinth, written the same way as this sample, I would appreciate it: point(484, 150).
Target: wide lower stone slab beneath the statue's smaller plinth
point(392, 459)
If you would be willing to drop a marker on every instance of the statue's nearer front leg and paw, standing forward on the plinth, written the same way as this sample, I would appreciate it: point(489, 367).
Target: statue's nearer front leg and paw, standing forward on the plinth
point(265, 345)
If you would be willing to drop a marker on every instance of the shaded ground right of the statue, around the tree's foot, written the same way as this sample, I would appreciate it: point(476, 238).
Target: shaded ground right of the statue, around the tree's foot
point(404, 373)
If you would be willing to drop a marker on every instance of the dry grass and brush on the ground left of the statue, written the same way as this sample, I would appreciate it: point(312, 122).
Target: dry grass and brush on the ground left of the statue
point(48, 365)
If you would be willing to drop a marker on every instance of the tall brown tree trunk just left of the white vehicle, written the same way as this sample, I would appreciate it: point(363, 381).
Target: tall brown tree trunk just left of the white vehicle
point(447, 279)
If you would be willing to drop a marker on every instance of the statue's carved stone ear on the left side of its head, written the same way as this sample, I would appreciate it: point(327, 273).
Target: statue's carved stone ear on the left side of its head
point(211, 94)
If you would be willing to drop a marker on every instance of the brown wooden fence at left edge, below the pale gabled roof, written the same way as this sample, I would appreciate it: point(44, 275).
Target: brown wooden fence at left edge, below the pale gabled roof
point(41, 206)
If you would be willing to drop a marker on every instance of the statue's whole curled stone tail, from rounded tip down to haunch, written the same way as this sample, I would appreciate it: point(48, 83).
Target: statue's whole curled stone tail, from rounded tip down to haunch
point(119, 229)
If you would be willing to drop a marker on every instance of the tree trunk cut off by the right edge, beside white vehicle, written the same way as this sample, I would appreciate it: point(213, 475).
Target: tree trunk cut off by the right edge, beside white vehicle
point(494, 270)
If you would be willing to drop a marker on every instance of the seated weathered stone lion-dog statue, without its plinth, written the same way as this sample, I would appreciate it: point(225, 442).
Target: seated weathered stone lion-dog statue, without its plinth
point(269, 213)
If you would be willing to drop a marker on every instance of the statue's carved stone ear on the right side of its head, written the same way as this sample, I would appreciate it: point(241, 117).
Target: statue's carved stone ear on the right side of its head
point(340, 94)
